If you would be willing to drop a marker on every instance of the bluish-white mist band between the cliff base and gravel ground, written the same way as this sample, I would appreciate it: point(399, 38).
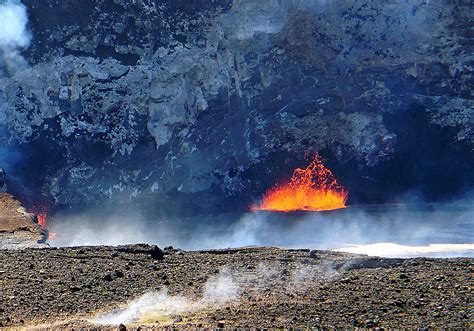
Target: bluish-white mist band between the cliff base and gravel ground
point(388, 230)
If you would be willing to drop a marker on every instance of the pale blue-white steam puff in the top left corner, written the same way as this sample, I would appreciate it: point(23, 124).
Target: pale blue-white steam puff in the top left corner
point(14, 36)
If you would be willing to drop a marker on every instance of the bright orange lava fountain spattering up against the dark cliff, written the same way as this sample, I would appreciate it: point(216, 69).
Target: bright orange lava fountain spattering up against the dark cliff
point(314, 188)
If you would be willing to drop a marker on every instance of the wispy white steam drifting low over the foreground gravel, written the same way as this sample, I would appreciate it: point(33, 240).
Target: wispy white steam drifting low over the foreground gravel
point(227, 287)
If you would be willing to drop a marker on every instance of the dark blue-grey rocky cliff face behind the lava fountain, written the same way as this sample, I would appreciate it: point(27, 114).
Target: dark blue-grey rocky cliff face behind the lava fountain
point(160, 100)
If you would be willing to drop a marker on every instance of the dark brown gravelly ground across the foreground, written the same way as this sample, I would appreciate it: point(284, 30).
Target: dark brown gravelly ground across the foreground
point(271, 287)
